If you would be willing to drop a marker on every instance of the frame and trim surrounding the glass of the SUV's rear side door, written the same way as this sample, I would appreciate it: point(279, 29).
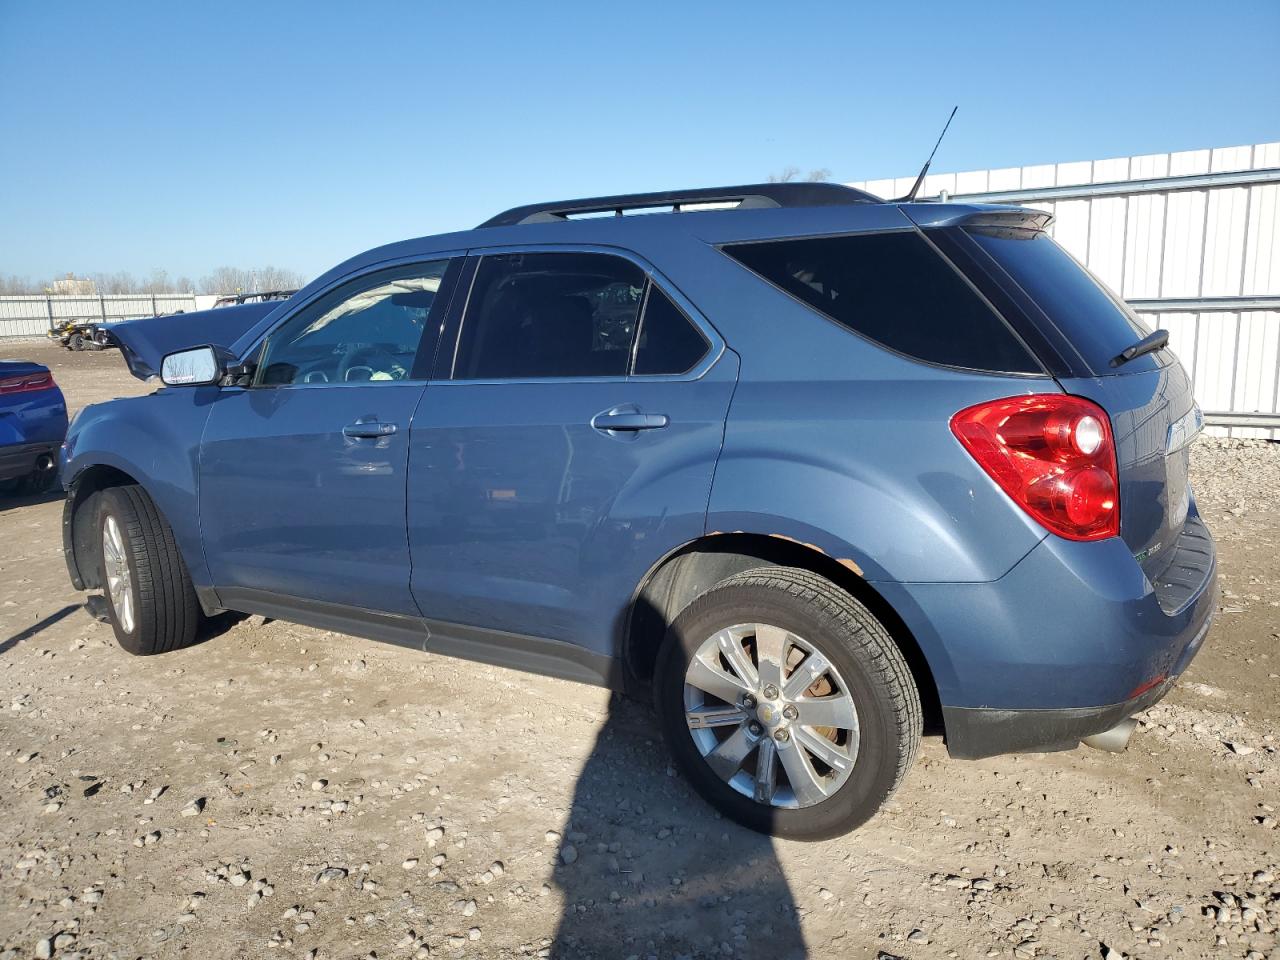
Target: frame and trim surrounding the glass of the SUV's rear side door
point(452, 335)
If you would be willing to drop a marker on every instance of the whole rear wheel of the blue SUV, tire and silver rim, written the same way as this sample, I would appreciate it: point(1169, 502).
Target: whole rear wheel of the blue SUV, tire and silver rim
point(742, 671)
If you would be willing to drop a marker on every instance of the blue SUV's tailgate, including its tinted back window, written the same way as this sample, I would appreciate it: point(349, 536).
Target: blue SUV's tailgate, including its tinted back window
point(1150, 400)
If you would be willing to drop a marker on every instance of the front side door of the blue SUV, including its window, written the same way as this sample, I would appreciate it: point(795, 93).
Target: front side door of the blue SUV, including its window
point(303, 474)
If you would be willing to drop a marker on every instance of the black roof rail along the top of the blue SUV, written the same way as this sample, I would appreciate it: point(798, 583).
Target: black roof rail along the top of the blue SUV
point(756, 195)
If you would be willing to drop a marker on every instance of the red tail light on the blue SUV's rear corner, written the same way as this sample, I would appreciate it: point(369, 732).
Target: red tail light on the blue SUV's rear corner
point(1054, 455)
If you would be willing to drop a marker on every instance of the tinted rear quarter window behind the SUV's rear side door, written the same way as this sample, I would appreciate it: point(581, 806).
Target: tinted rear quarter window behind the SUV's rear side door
point(893, 289)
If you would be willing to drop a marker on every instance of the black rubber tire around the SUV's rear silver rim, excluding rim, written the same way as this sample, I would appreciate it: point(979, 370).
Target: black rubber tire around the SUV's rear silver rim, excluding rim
point(854, 642)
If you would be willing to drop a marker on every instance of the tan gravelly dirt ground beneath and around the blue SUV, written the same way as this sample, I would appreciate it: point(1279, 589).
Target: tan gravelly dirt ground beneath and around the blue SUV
point(281, 792)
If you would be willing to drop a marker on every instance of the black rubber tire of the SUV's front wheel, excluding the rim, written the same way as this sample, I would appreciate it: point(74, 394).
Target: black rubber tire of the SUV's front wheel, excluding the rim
point(167, 615)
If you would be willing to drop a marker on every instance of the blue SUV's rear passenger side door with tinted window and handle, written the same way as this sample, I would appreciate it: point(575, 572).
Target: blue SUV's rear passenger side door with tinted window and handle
point(560, 455)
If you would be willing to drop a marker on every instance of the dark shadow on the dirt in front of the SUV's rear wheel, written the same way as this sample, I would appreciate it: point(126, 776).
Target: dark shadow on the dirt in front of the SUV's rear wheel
point(648, 870)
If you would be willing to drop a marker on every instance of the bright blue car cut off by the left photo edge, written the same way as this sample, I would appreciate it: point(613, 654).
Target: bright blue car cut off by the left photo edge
point(33, 427)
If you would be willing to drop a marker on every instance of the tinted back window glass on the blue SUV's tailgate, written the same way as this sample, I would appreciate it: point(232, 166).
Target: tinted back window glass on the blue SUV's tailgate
point(1092, 318)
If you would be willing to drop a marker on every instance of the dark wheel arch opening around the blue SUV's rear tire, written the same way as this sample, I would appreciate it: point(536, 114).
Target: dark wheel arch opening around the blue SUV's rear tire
point(691, 570)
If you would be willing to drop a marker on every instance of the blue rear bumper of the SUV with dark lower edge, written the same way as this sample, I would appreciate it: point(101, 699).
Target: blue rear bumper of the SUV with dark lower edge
point(1071, 642)
